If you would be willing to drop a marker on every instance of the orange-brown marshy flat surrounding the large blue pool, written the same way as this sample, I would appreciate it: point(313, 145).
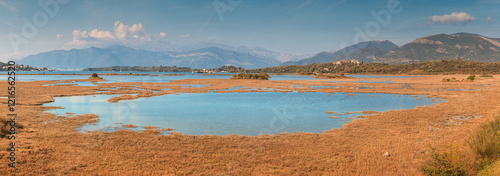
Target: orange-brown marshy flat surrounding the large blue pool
point(50, 144)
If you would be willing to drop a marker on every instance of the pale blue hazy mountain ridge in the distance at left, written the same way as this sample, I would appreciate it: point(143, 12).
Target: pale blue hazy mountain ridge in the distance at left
point(201, 55)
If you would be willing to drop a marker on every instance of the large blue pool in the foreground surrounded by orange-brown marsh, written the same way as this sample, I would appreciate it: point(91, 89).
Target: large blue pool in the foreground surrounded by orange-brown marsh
point(234, 113)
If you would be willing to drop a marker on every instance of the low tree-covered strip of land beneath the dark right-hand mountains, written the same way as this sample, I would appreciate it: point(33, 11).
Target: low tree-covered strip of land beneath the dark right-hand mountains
point(457, 66)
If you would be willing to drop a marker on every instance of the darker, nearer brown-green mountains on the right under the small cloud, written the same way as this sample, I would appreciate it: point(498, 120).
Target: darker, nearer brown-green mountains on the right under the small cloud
point(466, 46)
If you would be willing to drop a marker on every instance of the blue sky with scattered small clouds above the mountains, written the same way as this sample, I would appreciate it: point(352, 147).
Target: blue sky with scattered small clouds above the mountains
point(289, 26)
